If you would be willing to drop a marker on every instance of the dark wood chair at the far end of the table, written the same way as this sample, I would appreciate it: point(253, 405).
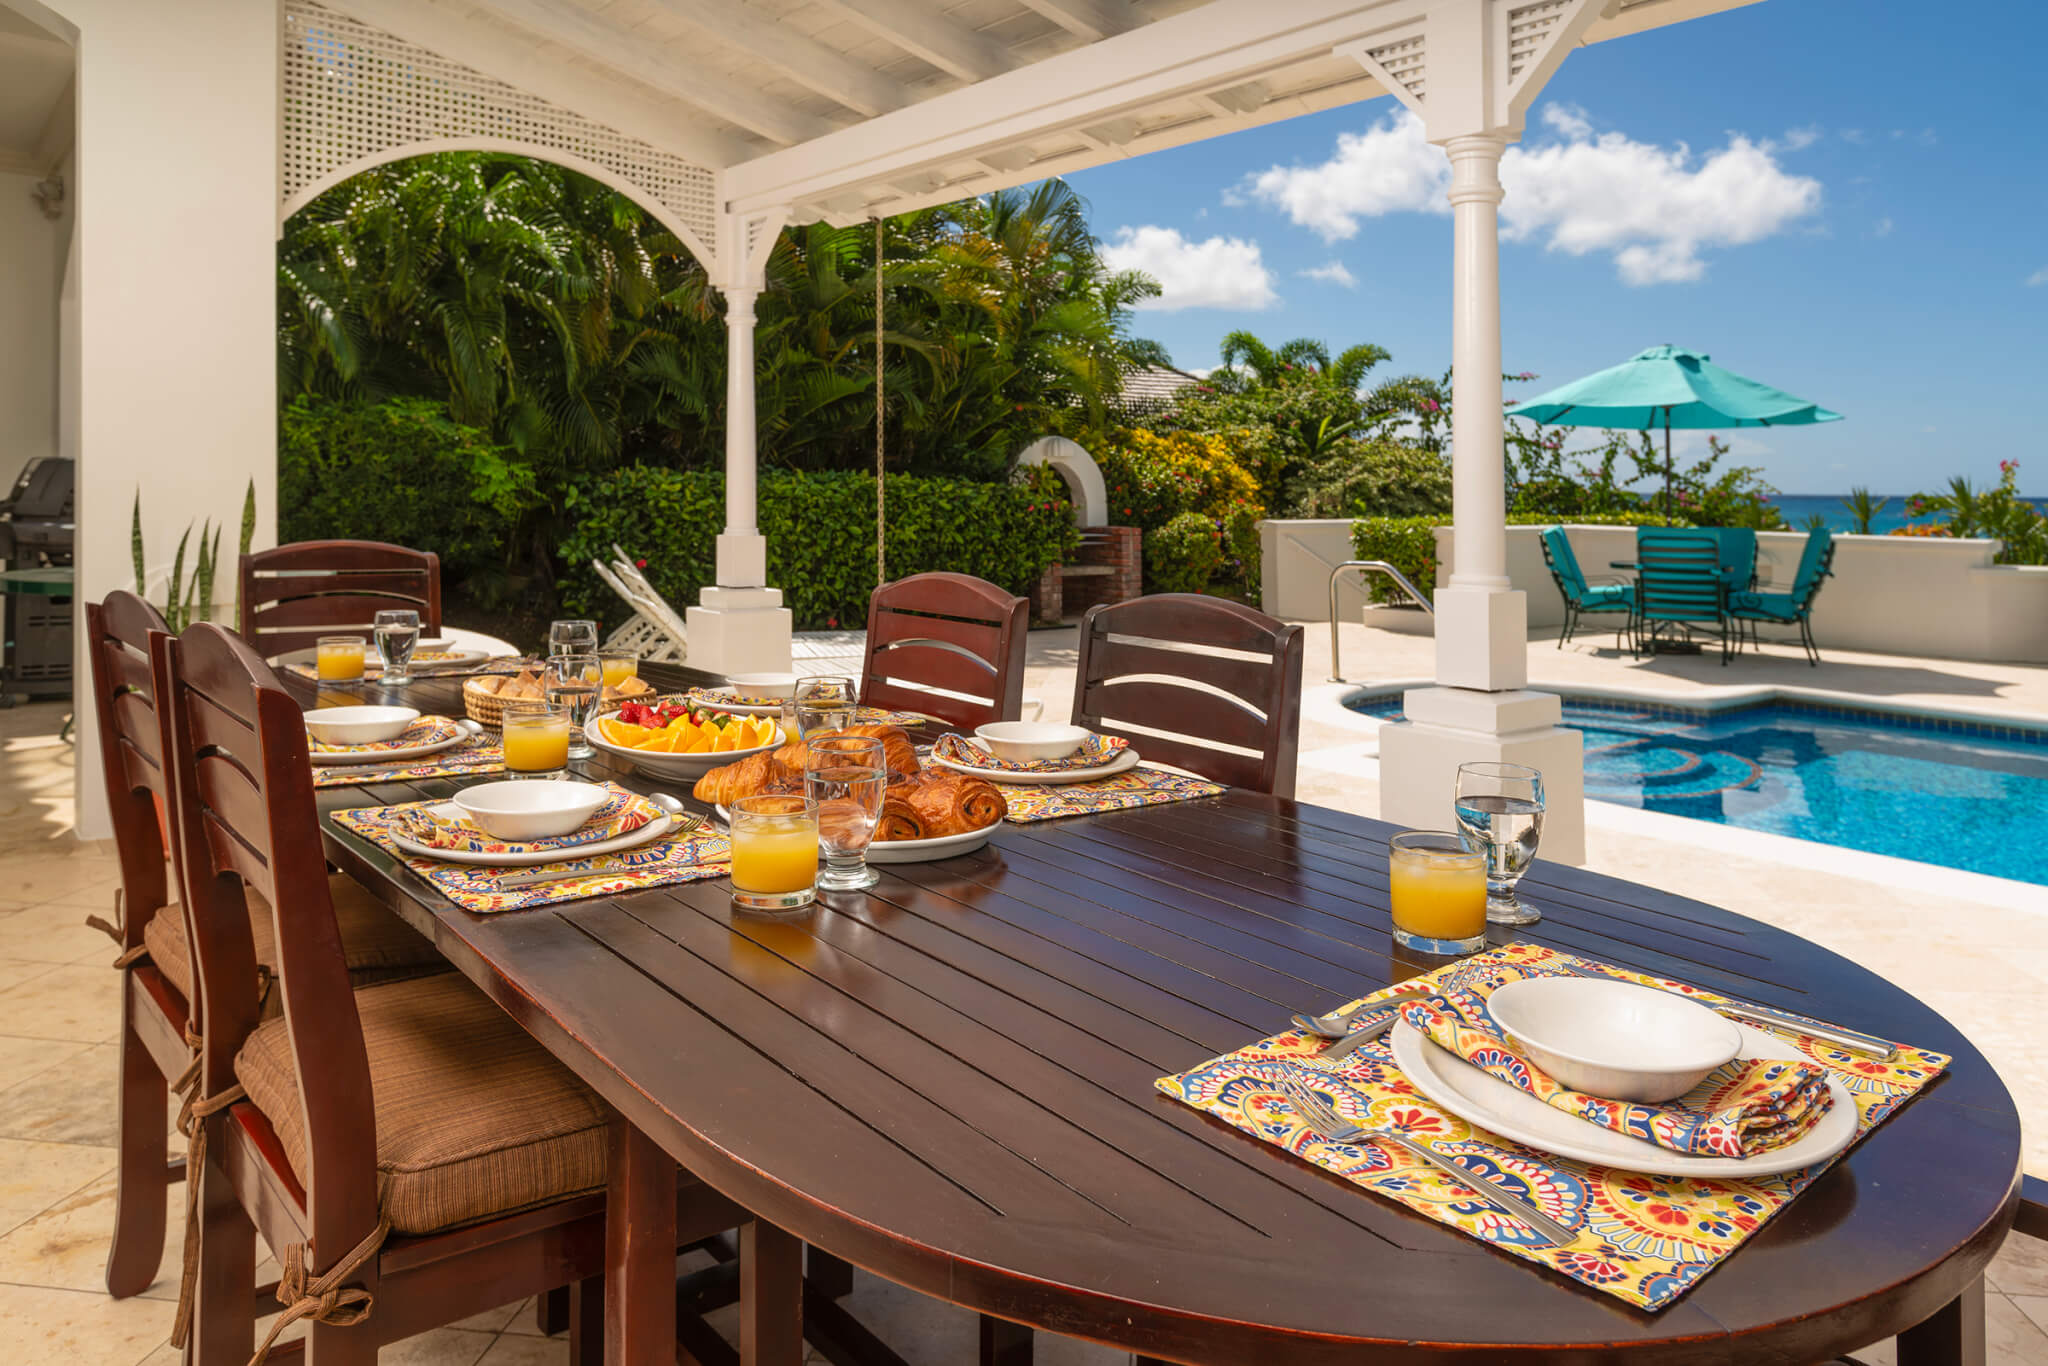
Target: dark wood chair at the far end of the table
point(310, 589)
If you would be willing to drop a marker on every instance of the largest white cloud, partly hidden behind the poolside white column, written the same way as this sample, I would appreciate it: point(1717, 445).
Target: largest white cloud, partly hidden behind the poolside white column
point(1652, 208)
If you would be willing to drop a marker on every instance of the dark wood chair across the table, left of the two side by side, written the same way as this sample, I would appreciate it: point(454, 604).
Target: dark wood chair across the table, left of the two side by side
point(949, 646)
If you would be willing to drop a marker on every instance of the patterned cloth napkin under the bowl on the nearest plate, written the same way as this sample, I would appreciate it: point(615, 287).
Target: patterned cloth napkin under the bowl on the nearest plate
point(1742, 1109)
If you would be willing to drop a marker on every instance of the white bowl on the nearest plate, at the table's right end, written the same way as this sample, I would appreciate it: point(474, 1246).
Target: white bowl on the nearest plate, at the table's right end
point(1613, 1037)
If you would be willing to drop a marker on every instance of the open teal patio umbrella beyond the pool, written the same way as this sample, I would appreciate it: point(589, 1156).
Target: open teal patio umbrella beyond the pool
point(1668, 386)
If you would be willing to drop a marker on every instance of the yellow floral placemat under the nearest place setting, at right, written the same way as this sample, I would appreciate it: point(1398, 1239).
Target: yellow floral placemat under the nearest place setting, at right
point(1641, 1238)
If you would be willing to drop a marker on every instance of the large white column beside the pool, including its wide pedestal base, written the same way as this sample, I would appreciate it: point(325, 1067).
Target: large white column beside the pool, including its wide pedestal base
point(1482, 708)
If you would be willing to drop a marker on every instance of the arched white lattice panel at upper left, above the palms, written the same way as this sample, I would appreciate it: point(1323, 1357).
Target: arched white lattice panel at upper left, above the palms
point(355, 93)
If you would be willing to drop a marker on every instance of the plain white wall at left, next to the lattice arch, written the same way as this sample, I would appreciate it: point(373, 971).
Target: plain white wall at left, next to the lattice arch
point(175, 267)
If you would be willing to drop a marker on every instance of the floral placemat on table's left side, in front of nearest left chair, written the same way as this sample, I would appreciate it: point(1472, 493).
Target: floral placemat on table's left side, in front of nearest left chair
point(673, 859)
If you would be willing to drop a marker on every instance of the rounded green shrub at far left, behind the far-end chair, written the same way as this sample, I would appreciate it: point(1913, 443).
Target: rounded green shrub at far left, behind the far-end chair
point(400, 472)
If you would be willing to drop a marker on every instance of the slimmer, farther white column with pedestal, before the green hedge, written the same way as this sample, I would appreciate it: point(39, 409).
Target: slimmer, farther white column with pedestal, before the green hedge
point(740, 624)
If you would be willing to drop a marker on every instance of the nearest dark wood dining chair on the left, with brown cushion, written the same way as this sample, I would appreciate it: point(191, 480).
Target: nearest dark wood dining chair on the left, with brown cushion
point(407, 1150)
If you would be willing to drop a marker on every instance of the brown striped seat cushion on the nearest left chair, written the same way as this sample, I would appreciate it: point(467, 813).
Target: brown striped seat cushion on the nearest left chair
point(474, 1119)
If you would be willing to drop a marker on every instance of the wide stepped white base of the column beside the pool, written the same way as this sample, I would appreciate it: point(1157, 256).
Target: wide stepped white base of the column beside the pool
point(1459, 726)
